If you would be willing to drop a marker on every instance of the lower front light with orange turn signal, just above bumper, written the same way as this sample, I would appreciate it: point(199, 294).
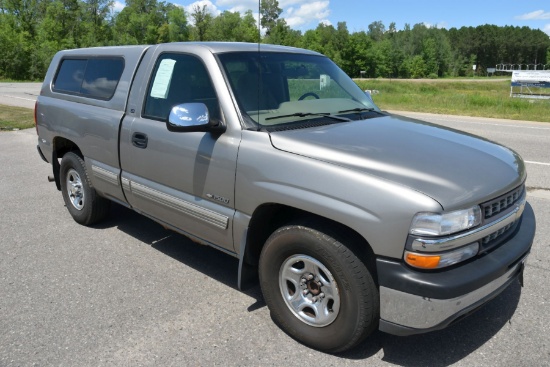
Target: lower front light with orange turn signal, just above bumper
point(441, 260)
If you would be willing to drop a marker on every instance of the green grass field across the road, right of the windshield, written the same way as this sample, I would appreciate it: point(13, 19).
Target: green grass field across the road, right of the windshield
point(467, 98)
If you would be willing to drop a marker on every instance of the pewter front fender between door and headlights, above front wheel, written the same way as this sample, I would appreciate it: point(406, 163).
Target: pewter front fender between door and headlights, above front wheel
point(379, 210)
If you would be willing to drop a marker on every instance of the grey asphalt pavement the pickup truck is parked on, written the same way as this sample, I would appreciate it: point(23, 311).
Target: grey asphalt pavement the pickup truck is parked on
point(127, 292)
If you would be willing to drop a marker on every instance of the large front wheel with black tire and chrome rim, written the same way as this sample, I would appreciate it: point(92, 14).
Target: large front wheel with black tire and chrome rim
point(317, 290)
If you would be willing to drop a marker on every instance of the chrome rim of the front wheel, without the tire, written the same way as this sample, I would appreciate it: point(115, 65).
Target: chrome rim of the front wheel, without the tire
point(309, 290)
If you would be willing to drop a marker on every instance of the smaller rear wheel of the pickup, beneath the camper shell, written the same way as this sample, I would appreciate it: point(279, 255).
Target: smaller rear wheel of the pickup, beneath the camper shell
point(84, 204)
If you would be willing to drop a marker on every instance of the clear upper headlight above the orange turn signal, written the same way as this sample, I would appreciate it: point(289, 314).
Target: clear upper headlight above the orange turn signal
point(441, 224)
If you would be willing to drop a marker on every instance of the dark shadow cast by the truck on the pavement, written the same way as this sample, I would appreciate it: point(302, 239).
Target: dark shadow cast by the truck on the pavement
point(438, 348)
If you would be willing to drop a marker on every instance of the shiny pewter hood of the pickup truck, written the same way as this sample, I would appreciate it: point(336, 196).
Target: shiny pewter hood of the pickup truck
point(452, 167)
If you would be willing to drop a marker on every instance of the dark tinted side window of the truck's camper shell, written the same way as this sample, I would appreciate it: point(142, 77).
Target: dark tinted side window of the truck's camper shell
point(90, 77)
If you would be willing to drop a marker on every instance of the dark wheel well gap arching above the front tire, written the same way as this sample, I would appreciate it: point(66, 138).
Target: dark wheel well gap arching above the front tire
point(269, 217)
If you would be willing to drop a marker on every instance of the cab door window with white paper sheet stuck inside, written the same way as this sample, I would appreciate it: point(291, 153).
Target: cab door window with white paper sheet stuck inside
point(177, 79)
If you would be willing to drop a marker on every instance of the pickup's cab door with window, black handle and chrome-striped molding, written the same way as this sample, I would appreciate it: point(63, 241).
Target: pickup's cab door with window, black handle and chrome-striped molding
point(186, 180)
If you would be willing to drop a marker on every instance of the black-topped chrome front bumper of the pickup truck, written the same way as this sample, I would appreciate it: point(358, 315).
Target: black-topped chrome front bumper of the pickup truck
point(413, 302)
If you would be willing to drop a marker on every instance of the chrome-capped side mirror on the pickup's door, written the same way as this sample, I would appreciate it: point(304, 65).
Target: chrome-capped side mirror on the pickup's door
point(193, 117)
